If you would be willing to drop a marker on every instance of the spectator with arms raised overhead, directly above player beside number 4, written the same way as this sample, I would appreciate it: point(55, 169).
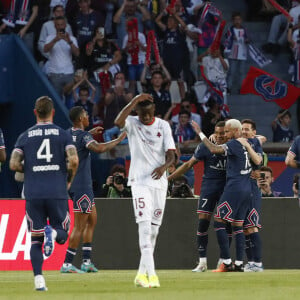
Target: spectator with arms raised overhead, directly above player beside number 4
point(85, 100)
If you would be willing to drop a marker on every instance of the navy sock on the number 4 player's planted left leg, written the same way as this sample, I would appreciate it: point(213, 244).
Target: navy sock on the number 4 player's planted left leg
point(36, 254)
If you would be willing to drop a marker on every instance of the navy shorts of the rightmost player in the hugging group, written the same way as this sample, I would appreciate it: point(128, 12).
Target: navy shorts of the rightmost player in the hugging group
point(253, 212)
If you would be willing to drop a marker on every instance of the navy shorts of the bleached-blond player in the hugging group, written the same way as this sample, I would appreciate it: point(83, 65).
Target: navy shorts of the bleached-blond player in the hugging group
point(233, 205)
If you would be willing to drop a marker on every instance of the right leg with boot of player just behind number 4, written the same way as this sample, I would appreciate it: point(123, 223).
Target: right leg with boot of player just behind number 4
point(88, 233)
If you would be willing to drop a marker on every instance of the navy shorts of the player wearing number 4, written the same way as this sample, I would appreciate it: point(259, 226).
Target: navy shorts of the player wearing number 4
point(38, 211)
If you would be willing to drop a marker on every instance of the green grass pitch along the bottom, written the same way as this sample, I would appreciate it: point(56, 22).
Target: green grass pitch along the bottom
point(175, 284)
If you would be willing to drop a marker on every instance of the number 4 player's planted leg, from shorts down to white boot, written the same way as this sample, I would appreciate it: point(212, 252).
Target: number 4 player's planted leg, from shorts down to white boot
point(36, 220)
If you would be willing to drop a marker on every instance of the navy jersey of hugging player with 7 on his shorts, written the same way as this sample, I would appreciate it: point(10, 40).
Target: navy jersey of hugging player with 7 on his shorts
point(214, 176)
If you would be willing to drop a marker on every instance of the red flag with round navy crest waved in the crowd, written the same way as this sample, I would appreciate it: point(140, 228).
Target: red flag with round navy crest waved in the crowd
point(270, 88)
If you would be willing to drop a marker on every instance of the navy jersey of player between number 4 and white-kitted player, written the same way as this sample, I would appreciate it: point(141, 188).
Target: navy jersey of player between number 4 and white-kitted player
point(83, 177)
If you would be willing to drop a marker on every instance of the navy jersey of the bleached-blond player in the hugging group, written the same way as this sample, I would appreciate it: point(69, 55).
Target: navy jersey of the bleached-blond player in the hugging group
point(238, 167)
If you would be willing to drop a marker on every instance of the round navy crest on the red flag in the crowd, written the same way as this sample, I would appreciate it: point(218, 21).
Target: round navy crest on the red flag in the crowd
point(270, 88)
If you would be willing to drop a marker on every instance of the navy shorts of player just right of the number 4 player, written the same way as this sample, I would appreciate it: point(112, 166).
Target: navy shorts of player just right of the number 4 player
point(83, 201)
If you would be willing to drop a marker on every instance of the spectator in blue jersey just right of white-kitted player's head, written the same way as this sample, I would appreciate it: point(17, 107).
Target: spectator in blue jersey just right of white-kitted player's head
point(183, 132)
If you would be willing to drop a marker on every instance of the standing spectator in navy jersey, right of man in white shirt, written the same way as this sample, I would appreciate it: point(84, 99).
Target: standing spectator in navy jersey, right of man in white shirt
point(87, 21)
